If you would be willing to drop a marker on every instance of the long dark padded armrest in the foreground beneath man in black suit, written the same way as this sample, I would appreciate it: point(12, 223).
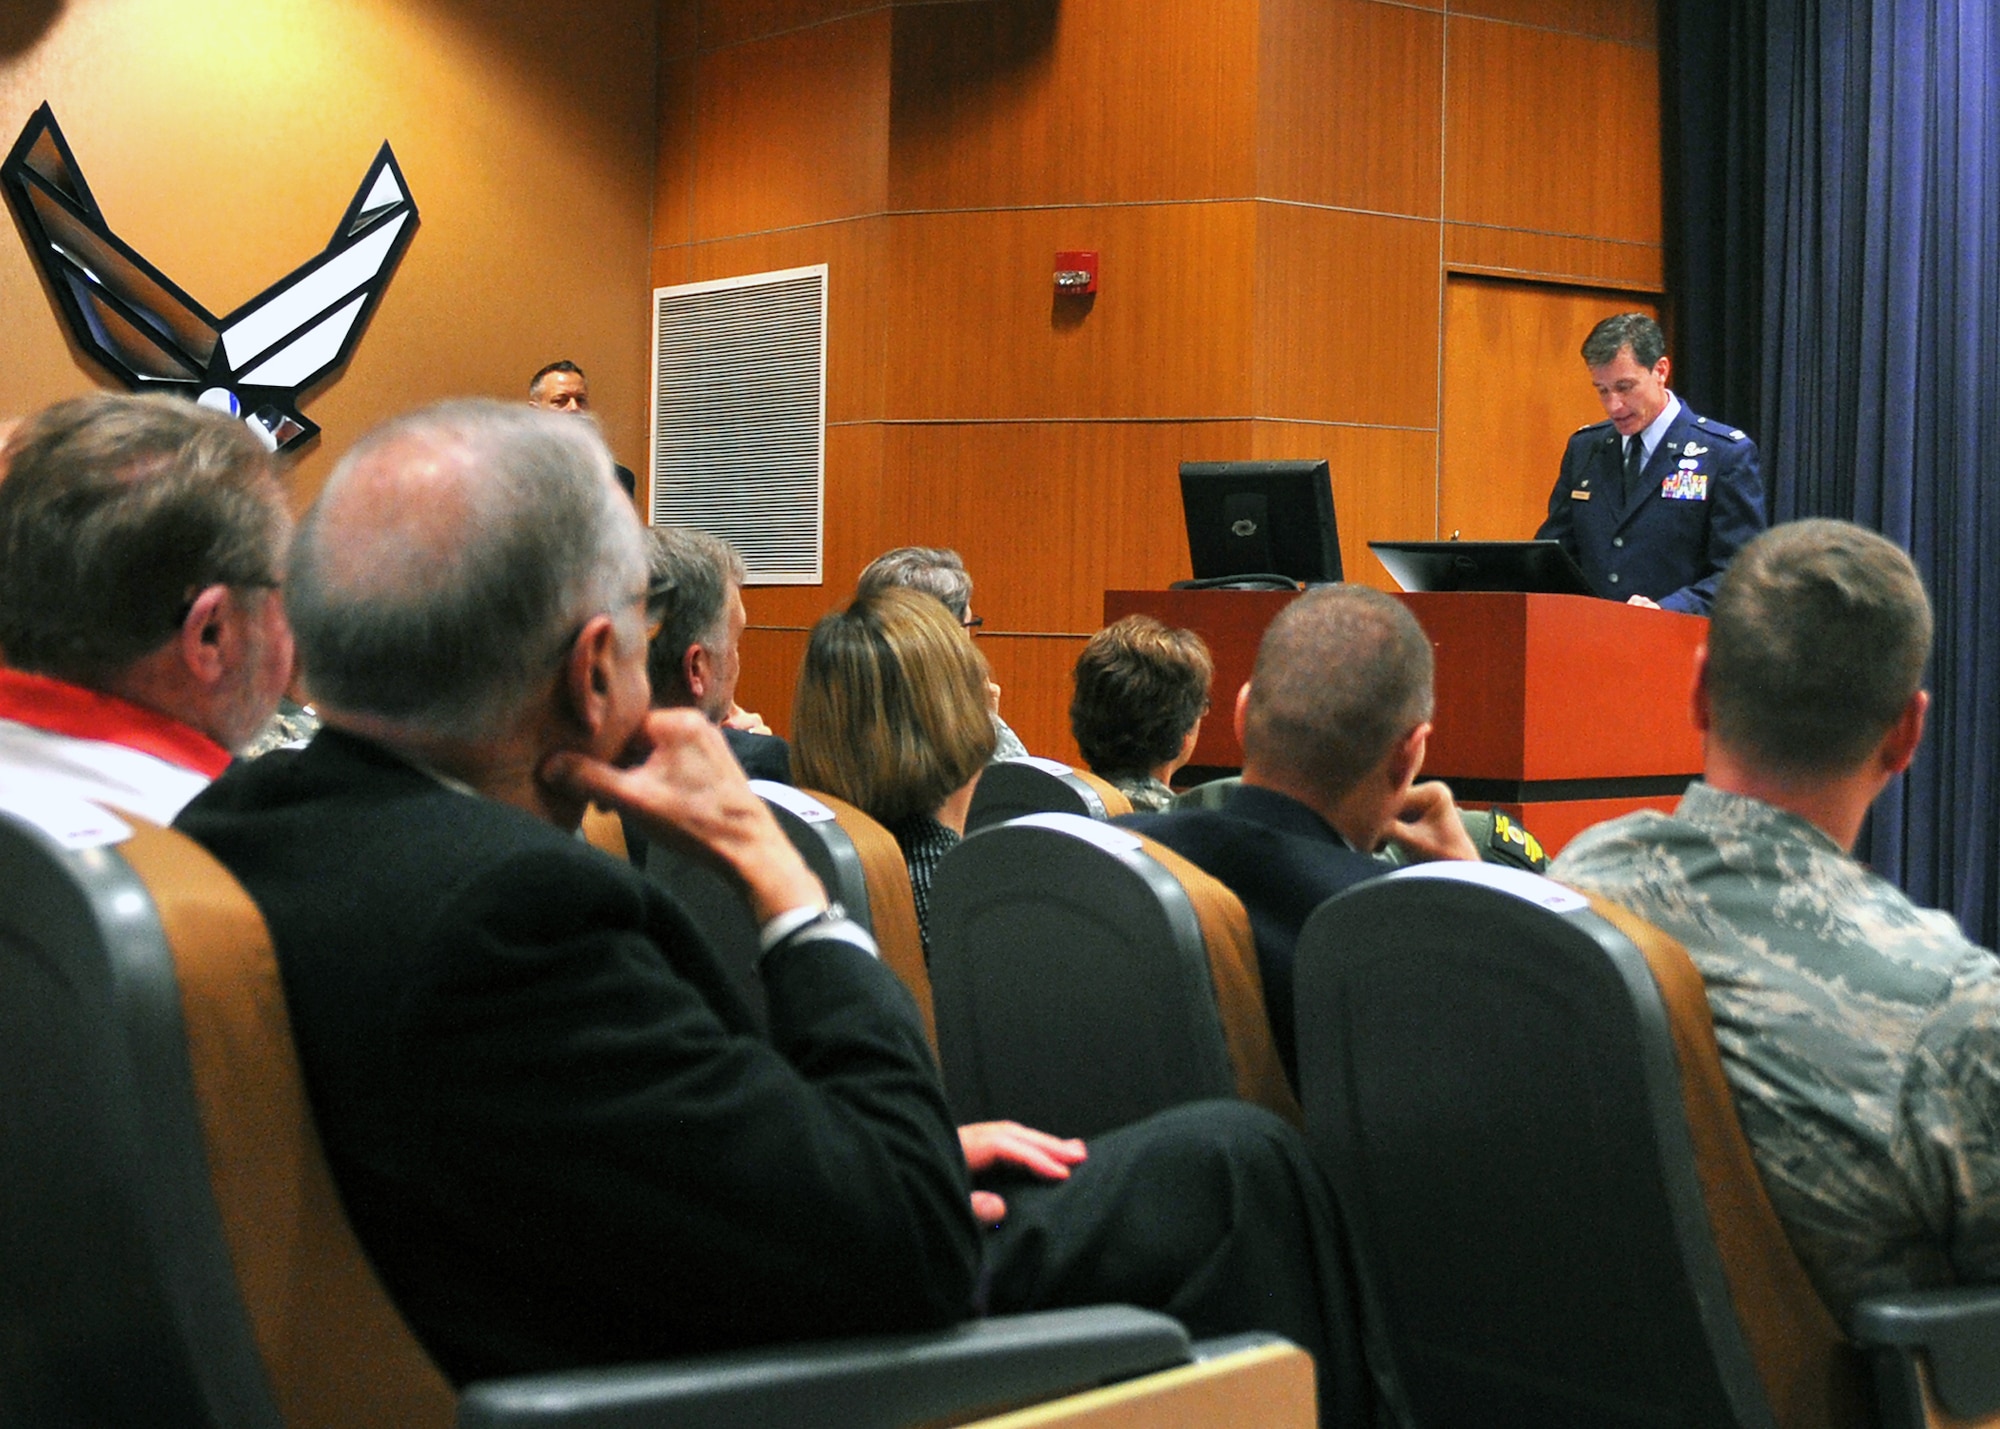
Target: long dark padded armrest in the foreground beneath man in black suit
point(863, 1384)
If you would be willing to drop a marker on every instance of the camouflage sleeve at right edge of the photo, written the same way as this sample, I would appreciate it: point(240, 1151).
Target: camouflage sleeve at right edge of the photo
point(1949, 1136)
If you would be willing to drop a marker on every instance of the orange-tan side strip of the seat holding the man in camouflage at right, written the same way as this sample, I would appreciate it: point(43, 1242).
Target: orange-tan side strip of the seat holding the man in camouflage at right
point(1811, 1374)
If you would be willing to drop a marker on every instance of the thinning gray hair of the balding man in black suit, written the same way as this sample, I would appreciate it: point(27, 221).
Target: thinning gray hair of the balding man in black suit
point(445, 609)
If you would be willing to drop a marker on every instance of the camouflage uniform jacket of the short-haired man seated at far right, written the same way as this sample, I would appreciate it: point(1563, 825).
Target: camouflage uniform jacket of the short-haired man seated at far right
point(1861, 1036)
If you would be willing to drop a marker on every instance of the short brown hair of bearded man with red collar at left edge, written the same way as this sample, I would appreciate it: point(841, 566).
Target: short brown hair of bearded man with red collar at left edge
point(113, 515)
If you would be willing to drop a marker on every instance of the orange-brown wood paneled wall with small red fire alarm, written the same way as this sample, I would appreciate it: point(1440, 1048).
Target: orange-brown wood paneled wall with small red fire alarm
point(1277, 191)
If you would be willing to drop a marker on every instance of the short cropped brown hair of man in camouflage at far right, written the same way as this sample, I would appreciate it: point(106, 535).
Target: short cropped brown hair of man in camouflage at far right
point(1817, 643)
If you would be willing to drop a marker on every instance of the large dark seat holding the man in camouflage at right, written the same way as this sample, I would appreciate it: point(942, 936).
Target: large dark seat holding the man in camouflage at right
point(1555, 1214)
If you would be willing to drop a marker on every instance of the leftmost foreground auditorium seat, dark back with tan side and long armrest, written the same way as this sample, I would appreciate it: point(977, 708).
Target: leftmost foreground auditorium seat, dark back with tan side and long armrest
point(177, 1250)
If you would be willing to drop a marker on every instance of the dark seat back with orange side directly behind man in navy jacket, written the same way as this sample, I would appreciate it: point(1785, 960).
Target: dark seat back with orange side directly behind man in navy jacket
point(1087, 978)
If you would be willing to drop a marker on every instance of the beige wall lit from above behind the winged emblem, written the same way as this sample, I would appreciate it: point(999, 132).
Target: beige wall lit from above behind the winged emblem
point(225, 137)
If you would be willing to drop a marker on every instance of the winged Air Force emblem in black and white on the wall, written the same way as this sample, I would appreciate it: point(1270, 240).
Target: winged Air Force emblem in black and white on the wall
point(133, 319)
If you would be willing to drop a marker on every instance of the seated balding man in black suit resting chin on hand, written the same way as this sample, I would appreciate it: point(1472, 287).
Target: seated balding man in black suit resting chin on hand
point(547, 1114)
